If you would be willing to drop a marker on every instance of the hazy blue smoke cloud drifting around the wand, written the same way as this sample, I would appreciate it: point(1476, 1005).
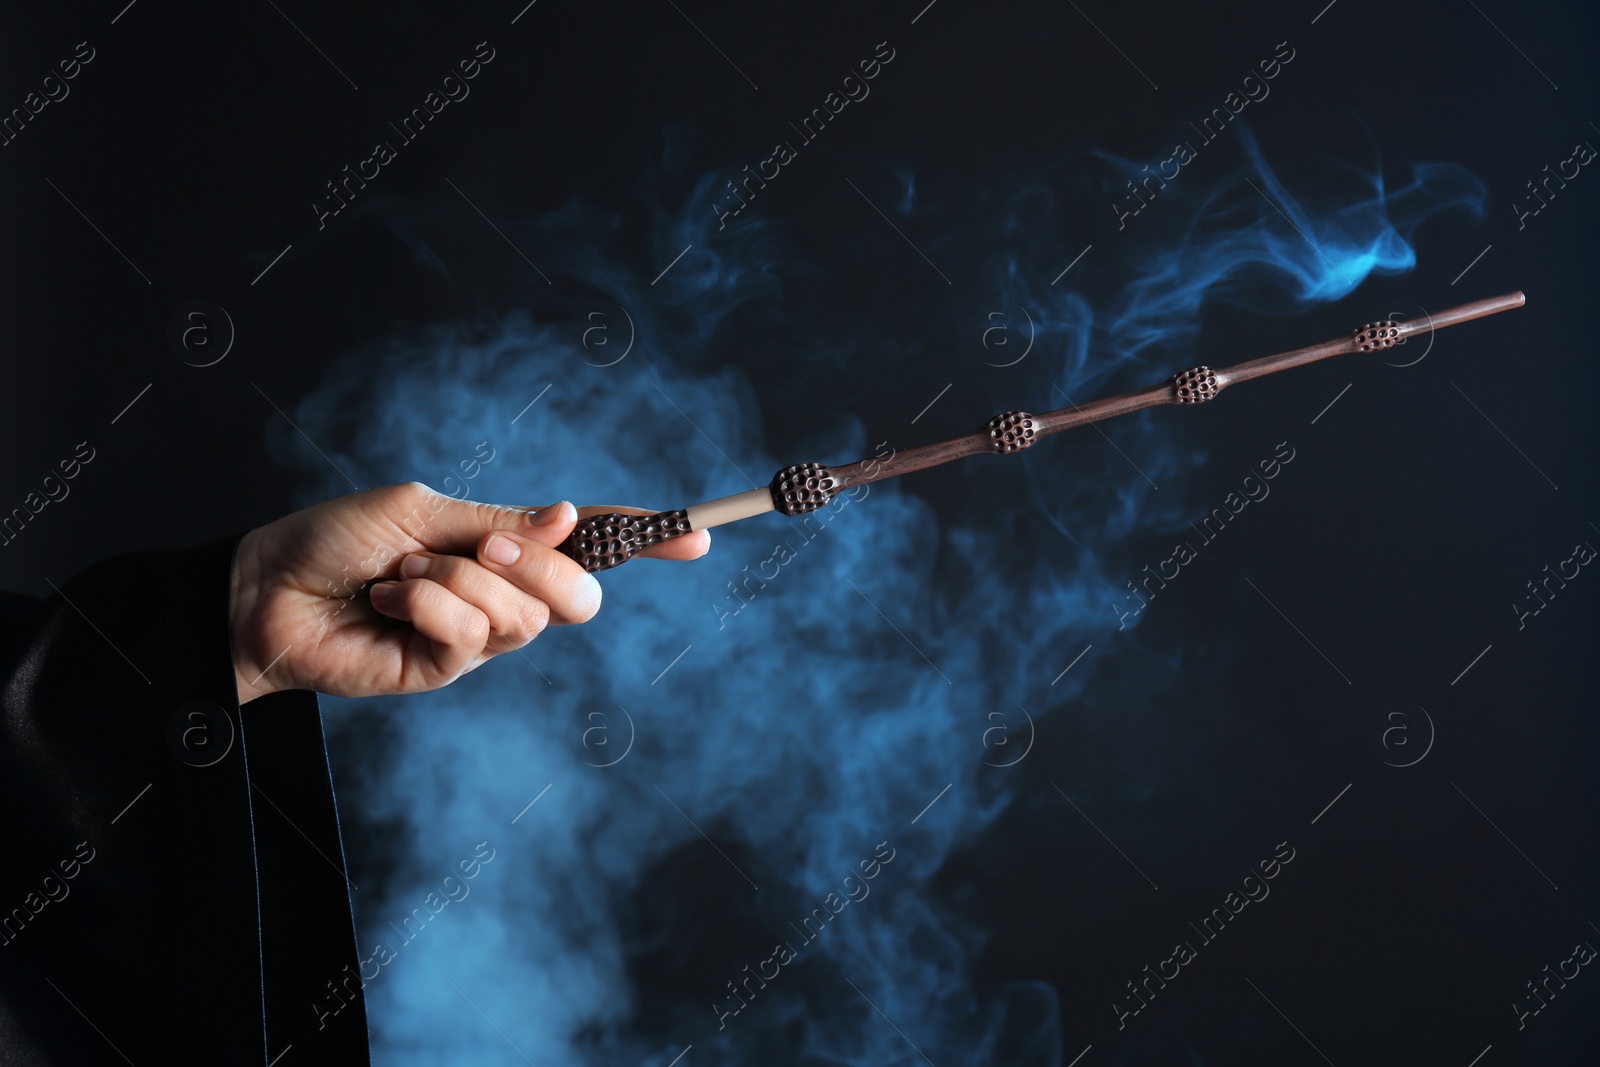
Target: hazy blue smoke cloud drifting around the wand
point(812, 717)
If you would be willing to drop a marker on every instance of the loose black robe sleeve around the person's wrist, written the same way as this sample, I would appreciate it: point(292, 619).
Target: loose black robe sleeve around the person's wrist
point(172, 879)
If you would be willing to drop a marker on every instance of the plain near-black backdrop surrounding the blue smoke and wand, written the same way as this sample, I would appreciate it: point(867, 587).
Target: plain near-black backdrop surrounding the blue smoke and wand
point(1409, 924)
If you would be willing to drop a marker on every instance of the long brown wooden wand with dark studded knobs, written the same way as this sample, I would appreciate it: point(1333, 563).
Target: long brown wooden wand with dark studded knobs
point(604, 541)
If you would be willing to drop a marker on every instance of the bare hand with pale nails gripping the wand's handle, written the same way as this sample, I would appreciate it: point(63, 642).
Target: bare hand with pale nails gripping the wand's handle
point(458, 583)
